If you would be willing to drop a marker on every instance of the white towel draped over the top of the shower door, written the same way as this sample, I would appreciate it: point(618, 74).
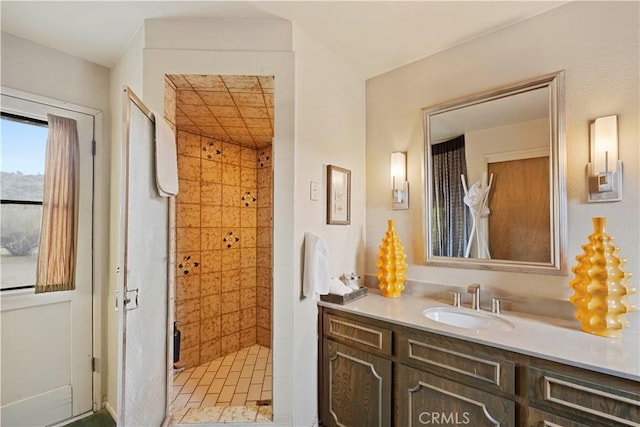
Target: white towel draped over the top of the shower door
point(166, 158)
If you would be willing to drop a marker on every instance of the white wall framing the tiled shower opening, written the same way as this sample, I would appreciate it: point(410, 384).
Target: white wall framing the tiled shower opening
point(193, 56)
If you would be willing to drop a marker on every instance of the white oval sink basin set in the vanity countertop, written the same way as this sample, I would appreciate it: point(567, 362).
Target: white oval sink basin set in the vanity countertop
point(468, 319)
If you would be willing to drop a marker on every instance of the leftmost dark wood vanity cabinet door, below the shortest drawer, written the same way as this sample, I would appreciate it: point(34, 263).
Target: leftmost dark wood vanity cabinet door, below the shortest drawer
point(356, 386)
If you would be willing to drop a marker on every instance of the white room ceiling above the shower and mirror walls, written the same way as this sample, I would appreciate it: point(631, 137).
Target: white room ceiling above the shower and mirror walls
point(373, 37)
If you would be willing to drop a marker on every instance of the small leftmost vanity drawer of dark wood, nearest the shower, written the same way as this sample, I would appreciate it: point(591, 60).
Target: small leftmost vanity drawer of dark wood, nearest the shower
point(370, 337)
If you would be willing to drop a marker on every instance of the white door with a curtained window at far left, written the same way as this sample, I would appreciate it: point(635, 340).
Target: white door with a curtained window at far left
point(46, 349)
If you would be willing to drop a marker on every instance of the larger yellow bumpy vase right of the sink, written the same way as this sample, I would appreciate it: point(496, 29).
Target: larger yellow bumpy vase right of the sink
point(601, 285)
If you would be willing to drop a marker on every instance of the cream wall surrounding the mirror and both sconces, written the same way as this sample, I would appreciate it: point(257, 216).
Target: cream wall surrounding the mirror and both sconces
point(596, 43)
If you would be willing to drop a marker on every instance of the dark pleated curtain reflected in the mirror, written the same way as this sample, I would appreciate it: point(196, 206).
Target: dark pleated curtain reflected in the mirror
point(450, 226)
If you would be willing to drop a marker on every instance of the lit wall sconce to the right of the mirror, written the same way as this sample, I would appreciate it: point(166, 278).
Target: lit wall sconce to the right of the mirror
point(604, 170)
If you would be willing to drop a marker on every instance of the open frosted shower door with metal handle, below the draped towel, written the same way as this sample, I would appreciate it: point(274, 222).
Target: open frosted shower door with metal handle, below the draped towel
point(143, 276)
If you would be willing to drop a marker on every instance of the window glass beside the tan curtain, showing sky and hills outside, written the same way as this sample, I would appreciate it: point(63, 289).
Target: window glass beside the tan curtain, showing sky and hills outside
point(22, 178)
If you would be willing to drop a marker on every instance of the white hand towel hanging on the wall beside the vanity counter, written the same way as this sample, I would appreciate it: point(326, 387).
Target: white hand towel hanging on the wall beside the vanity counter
point(315, 276)
